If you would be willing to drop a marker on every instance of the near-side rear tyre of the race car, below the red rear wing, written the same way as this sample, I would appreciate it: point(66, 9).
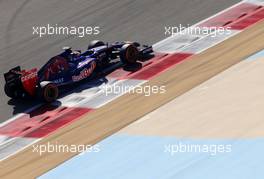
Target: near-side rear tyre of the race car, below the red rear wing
point(48, 92)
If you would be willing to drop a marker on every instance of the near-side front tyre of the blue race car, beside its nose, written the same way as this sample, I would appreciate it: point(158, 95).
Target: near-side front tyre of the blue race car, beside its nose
point(129, 54)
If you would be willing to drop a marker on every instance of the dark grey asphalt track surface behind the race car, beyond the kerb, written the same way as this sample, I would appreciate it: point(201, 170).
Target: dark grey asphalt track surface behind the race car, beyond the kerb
point(142, 21)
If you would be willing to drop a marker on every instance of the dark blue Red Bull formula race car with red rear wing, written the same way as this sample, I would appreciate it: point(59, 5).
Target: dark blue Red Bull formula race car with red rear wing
point(69, 67)
